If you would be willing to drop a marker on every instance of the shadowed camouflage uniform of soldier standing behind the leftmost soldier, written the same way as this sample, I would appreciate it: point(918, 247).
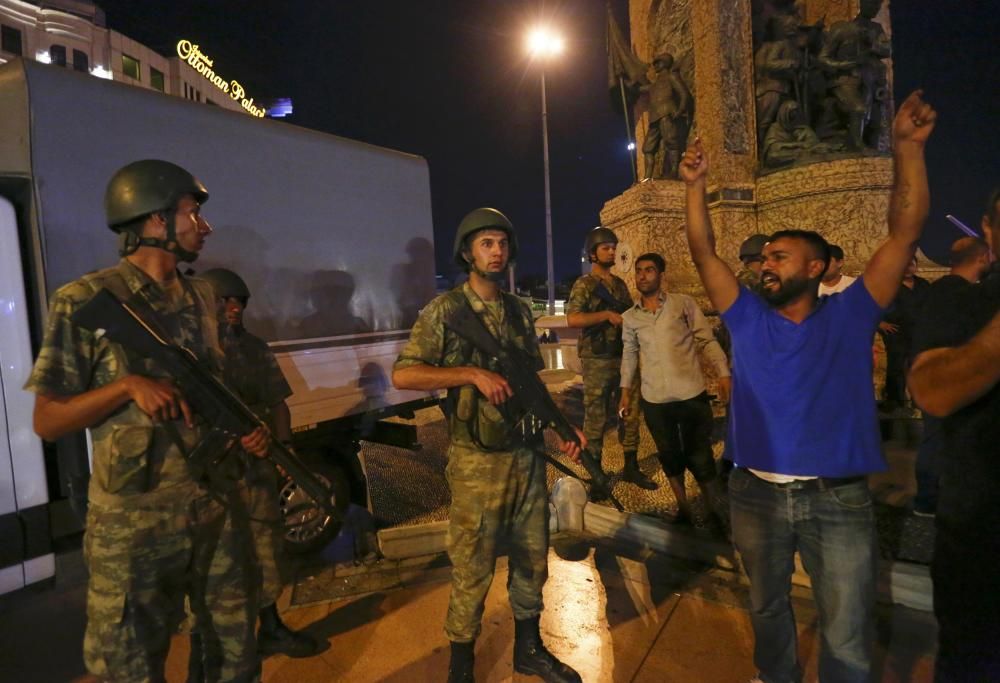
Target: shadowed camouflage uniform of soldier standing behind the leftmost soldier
point(253, 373)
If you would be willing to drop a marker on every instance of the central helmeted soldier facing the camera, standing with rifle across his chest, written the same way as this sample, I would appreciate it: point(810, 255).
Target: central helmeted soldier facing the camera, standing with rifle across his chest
point(495, 474)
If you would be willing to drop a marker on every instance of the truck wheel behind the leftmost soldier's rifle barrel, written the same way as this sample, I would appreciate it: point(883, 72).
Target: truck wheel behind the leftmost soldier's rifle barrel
point(307, 527)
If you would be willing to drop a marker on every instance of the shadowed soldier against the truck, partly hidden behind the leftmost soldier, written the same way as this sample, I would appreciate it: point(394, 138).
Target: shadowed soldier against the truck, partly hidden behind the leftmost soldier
point(253, 373)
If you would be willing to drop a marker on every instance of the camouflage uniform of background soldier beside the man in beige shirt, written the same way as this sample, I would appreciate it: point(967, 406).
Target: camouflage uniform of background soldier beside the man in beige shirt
point(600, 352)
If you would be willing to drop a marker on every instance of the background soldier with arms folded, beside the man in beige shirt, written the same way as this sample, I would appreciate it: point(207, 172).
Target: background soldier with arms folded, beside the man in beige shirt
point(600, 351)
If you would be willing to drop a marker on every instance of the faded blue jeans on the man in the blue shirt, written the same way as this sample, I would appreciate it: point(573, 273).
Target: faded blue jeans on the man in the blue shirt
point(833, 529)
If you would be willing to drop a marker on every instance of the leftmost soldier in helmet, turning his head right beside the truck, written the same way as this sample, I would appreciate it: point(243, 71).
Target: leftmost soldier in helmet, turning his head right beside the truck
point(153, 533)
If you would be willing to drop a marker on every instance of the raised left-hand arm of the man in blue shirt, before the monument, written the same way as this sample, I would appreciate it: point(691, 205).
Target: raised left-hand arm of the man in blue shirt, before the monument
point(720, 283)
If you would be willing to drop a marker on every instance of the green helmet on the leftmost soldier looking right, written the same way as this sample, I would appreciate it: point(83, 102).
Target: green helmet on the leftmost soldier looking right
point(145, 187)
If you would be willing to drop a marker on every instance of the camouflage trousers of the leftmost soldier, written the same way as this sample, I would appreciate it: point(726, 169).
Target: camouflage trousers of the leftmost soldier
point(144, 559)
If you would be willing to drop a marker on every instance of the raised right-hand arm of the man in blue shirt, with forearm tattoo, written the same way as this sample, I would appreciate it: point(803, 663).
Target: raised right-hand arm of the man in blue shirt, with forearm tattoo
point(909, 201)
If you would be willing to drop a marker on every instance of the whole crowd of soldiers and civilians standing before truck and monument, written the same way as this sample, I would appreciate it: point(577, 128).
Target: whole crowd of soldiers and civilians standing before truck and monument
point(802, 428)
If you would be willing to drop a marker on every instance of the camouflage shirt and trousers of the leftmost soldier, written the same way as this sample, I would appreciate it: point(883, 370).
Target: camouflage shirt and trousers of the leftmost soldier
point(153, 535)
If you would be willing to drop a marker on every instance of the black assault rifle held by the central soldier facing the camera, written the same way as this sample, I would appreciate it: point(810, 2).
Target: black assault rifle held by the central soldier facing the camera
point(530, 397)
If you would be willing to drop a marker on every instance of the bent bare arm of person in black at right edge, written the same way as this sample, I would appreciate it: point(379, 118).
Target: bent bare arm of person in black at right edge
point(946, 379)
